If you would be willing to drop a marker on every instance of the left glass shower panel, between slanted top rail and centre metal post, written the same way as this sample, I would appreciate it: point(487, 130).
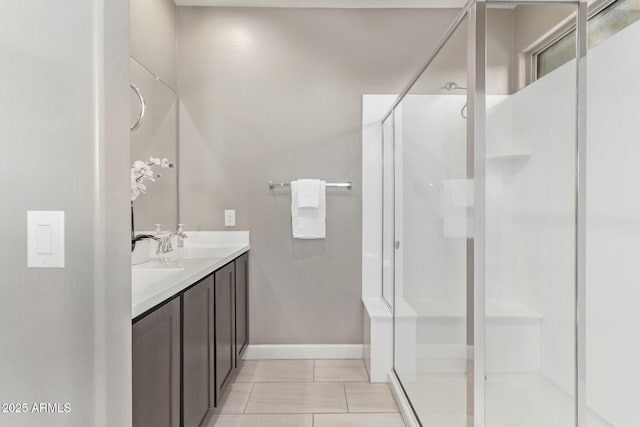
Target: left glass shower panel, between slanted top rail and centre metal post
point(433, 207)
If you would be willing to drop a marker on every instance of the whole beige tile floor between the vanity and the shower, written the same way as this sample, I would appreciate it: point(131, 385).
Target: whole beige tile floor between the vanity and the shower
point(306, 393)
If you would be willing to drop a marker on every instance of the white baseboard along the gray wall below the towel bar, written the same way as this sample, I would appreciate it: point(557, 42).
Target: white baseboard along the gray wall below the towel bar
point(304, 351)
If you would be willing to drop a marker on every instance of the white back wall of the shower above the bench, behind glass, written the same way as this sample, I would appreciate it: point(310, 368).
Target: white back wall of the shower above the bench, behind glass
point(434, 150)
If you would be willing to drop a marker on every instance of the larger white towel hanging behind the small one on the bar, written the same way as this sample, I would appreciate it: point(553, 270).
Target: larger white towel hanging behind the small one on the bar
point(308, 222)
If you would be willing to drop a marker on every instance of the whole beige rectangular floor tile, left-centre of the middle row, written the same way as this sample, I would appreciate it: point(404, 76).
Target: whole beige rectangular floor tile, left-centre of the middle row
point(297, 398)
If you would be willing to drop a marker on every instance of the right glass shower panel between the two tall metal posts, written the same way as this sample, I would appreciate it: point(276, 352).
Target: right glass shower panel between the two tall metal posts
point(530, 231)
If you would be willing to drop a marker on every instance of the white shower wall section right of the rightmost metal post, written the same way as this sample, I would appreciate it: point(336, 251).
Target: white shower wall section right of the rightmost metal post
point(613, 229)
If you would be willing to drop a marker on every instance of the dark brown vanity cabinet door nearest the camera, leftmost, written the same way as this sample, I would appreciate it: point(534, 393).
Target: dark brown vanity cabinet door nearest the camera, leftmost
point(156, 368)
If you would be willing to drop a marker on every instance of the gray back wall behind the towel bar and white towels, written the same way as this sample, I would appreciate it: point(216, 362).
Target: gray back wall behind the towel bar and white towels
point(275, 94)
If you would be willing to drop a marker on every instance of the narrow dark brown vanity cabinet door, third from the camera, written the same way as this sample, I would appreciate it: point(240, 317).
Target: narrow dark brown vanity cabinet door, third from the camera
point(224, 294)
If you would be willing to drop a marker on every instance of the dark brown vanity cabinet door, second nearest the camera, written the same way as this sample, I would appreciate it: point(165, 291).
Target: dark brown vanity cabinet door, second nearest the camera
point(198, 353)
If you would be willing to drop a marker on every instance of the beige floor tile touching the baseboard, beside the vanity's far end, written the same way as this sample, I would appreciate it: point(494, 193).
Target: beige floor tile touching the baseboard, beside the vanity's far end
point(260, 371)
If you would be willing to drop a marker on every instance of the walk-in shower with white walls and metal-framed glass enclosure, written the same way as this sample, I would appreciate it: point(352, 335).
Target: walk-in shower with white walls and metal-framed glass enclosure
point(507, 254)
